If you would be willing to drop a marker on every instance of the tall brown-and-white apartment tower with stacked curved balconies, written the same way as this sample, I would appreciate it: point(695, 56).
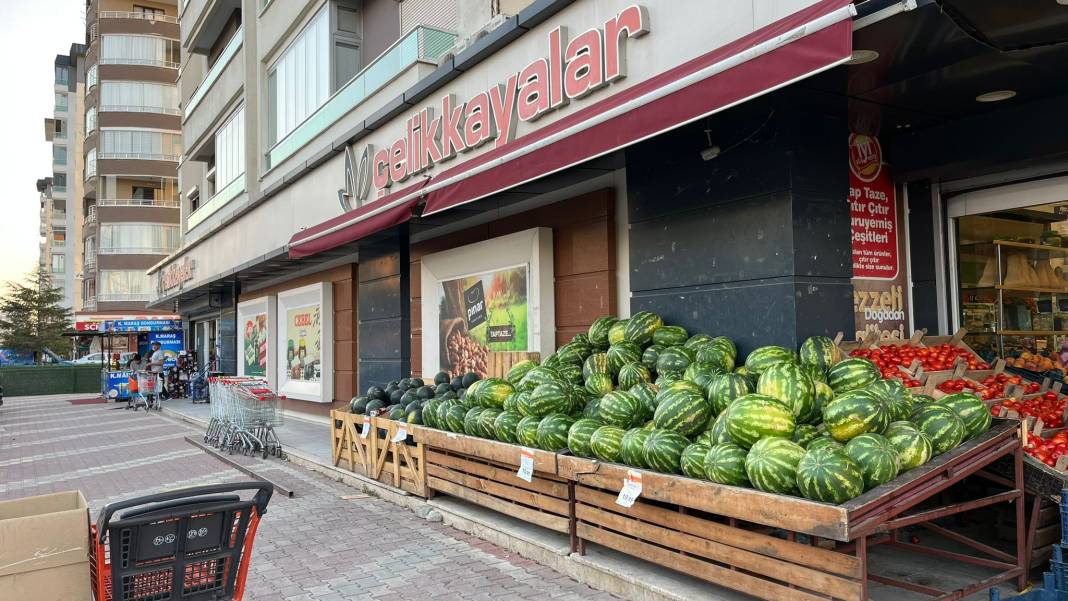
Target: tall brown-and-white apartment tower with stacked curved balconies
point(131, 151)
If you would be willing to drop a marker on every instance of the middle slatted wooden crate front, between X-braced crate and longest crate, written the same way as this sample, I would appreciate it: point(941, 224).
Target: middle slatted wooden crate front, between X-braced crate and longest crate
point(484, 472)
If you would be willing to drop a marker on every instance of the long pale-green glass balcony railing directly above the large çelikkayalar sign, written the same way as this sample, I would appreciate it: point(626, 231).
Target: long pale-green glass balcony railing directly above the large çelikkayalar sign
point(423, 43)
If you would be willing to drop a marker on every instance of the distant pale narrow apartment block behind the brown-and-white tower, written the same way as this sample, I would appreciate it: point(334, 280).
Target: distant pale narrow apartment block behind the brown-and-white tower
point(64, 131)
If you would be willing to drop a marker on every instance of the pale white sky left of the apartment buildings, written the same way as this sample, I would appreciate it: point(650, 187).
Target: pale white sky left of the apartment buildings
point(32, 34)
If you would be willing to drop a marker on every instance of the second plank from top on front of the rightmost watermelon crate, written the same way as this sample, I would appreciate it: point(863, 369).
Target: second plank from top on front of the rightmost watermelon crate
point(773, 547)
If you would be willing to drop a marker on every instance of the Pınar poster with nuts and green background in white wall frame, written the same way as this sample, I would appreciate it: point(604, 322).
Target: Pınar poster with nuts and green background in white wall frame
point(481, 313)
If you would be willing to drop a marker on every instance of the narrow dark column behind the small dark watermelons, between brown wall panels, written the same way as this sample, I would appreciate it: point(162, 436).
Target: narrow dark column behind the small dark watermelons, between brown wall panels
point(385, 310)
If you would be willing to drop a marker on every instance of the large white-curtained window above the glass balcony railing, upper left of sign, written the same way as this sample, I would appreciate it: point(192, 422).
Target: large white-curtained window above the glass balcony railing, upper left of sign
point(300, 82)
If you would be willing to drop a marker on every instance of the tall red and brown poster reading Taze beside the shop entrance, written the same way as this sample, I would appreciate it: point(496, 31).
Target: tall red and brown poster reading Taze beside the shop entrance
point(881, 279)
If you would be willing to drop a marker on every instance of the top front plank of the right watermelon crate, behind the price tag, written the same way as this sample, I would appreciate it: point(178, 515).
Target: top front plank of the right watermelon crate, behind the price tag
point(778, 511)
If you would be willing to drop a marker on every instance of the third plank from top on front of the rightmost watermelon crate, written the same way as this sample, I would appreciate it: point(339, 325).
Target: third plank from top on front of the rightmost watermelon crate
point(807, 578)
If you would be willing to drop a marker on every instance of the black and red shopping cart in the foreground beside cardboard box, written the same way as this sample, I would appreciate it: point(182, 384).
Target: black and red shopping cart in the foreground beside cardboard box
point(190, 545)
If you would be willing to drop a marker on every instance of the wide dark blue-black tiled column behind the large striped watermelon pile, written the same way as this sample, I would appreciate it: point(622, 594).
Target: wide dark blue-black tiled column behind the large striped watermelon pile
point(753, 244)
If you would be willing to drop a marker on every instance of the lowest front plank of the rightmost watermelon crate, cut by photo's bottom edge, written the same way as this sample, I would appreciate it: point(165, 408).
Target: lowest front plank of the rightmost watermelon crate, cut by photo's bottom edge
point(711, 573)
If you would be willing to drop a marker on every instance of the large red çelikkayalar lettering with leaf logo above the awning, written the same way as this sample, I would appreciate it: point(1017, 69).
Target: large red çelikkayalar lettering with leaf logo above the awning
point(571, 71)
